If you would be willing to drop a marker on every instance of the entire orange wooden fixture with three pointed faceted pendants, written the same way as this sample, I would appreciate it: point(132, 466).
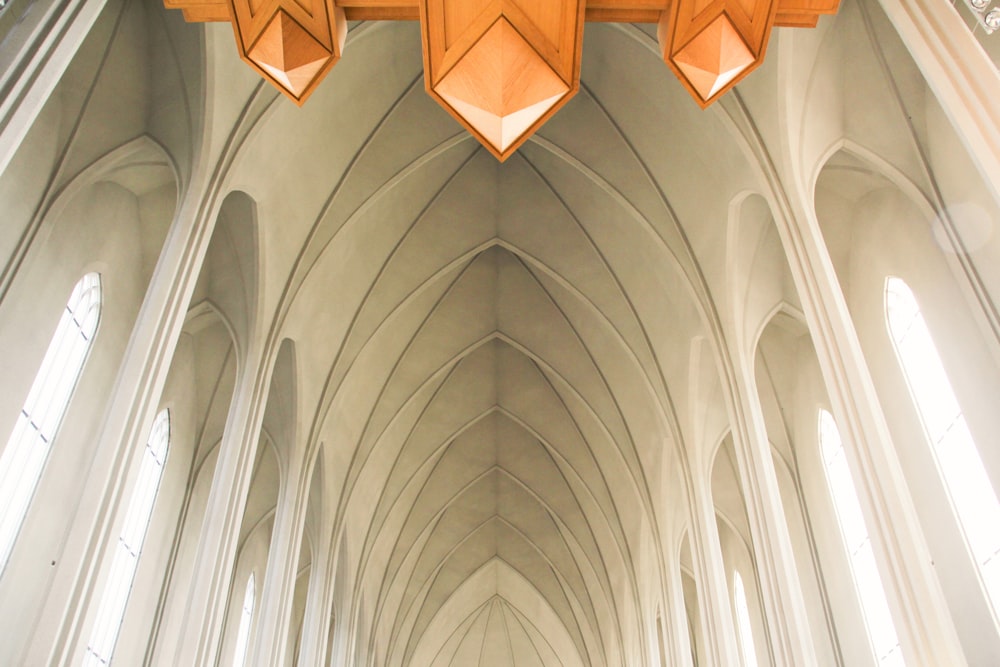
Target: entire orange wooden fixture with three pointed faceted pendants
point(503, 67)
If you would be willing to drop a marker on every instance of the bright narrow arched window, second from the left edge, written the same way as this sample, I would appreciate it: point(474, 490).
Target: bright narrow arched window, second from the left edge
point(126, 559)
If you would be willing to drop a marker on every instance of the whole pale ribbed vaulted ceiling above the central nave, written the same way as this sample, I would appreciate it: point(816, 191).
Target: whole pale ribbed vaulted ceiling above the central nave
point(511, 371)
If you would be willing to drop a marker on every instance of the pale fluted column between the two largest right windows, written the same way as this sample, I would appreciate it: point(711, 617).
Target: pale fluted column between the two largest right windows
point(926, 629)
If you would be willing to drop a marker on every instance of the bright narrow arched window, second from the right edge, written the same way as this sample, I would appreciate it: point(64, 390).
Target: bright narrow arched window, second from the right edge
point(867, 582)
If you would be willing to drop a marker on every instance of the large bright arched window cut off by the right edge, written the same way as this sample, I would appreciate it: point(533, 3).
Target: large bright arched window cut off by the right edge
point(957, 456)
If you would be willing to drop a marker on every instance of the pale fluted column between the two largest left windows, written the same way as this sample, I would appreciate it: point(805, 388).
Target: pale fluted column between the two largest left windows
point(129, 416)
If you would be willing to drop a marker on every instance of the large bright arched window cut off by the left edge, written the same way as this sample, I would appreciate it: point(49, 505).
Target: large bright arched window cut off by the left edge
point(28, 448)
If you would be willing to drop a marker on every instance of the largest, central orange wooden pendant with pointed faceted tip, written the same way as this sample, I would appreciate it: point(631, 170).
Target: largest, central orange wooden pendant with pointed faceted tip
point(502, 67)
